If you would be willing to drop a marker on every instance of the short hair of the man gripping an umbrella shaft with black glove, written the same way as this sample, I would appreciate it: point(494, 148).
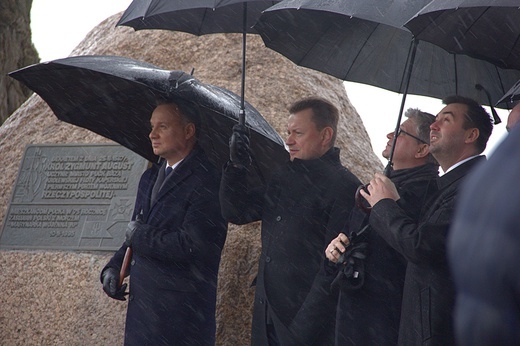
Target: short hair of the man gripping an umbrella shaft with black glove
point(325, 114)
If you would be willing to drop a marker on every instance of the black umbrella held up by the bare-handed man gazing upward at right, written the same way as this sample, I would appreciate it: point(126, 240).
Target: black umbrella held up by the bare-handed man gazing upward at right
point(364, 41)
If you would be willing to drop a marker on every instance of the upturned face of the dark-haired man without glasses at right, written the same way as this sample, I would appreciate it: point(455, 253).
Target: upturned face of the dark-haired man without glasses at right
point(447, 134)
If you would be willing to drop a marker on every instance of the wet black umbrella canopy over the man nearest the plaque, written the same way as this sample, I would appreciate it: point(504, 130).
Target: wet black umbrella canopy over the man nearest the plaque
point(115, 96)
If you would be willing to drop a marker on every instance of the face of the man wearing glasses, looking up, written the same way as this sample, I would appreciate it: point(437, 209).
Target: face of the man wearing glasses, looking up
point(406, 147)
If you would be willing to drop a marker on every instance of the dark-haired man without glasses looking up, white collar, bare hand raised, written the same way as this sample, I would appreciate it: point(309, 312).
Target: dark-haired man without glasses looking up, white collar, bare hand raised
point(457, 137)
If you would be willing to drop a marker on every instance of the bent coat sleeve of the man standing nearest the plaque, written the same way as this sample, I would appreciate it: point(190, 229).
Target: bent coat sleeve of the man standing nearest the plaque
point(202, 228)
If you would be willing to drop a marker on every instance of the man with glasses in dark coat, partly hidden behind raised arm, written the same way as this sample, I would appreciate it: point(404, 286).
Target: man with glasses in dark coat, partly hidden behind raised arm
point(369, 306)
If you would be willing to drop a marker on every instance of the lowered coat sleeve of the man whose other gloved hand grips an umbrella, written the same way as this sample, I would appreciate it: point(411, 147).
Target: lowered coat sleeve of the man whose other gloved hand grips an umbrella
point(319, 308)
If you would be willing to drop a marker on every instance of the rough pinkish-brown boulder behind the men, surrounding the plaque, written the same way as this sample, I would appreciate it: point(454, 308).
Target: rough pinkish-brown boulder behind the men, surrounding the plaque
point(51, 298)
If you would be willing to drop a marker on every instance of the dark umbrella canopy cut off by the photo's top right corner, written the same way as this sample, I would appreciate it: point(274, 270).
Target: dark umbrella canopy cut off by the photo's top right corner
point(484, 29)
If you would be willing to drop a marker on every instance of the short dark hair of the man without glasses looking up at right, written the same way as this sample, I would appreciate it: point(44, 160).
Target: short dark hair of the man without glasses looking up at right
point(476, 117)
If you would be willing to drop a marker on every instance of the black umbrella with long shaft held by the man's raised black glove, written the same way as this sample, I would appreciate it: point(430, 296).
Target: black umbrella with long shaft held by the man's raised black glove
point(198, 17)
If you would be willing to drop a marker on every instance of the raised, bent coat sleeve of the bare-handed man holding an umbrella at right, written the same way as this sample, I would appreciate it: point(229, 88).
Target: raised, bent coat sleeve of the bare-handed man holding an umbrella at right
point(417, 242)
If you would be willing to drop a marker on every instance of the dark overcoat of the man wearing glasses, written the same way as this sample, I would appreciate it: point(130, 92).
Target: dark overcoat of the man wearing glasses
point(370, 314)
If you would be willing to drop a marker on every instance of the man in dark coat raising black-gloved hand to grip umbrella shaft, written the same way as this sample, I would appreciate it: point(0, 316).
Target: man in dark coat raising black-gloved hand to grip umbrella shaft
point(302, 207)
